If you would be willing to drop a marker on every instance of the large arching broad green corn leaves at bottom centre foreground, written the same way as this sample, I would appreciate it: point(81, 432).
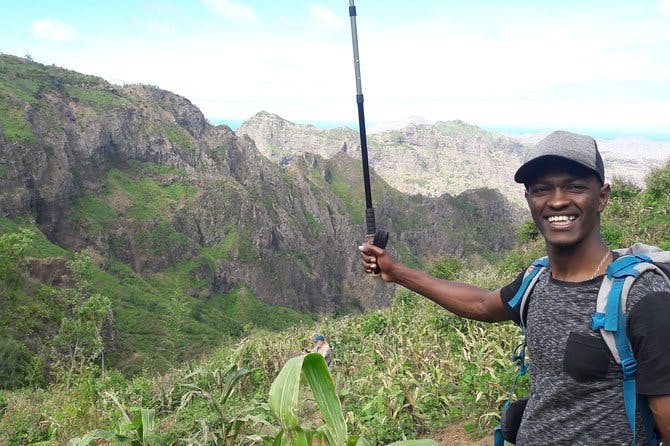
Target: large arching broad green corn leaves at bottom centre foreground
point(284, 402)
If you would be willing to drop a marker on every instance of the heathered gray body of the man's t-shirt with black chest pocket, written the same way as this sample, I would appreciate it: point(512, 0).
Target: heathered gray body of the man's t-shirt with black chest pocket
point(576, 386)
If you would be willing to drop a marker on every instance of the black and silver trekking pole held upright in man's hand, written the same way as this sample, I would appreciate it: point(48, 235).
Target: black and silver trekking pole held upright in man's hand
point(373, 236)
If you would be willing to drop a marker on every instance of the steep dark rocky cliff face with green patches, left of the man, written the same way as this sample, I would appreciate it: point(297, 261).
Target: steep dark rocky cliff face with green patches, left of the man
point(136, 174)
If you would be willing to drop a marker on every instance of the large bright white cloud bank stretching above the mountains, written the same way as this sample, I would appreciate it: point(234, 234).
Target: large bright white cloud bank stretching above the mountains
point(535, 75)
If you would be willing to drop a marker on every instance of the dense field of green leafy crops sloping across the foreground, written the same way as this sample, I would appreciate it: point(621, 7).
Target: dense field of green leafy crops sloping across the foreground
point(391, 380)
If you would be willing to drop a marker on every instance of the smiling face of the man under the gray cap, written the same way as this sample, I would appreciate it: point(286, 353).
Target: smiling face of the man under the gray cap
point(566, 203)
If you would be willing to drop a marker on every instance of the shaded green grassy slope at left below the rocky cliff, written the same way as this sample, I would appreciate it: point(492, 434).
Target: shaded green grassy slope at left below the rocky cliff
point(155, 318)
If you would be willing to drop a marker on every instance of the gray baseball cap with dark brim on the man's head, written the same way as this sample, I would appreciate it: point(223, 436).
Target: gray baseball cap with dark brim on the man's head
point(579, 149)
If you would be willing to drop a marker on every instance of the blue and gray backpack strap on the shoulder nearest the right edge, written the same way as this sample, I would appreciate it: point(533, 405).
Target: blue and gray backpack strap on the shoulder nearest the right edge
point(610, 320)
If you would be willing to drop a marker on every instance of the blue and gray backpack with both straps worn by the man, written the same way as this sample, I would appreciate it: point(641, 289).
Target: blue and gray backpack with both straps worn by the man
point(609, 318)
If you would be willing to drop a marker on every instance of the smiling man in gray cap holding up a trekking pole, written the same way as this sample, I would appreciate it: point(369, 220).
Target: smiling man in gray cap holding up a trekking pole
point(576, 387)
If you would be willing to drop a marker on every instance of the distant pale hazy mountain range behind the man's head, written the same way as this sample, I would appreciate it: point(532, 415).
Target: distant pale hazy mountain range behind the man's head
point(445, 157)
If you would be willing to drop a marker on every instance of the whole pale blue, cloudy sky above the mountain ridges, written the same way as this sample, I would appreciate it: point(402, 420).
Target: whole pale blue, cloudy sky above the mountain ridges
point(599, 67)
